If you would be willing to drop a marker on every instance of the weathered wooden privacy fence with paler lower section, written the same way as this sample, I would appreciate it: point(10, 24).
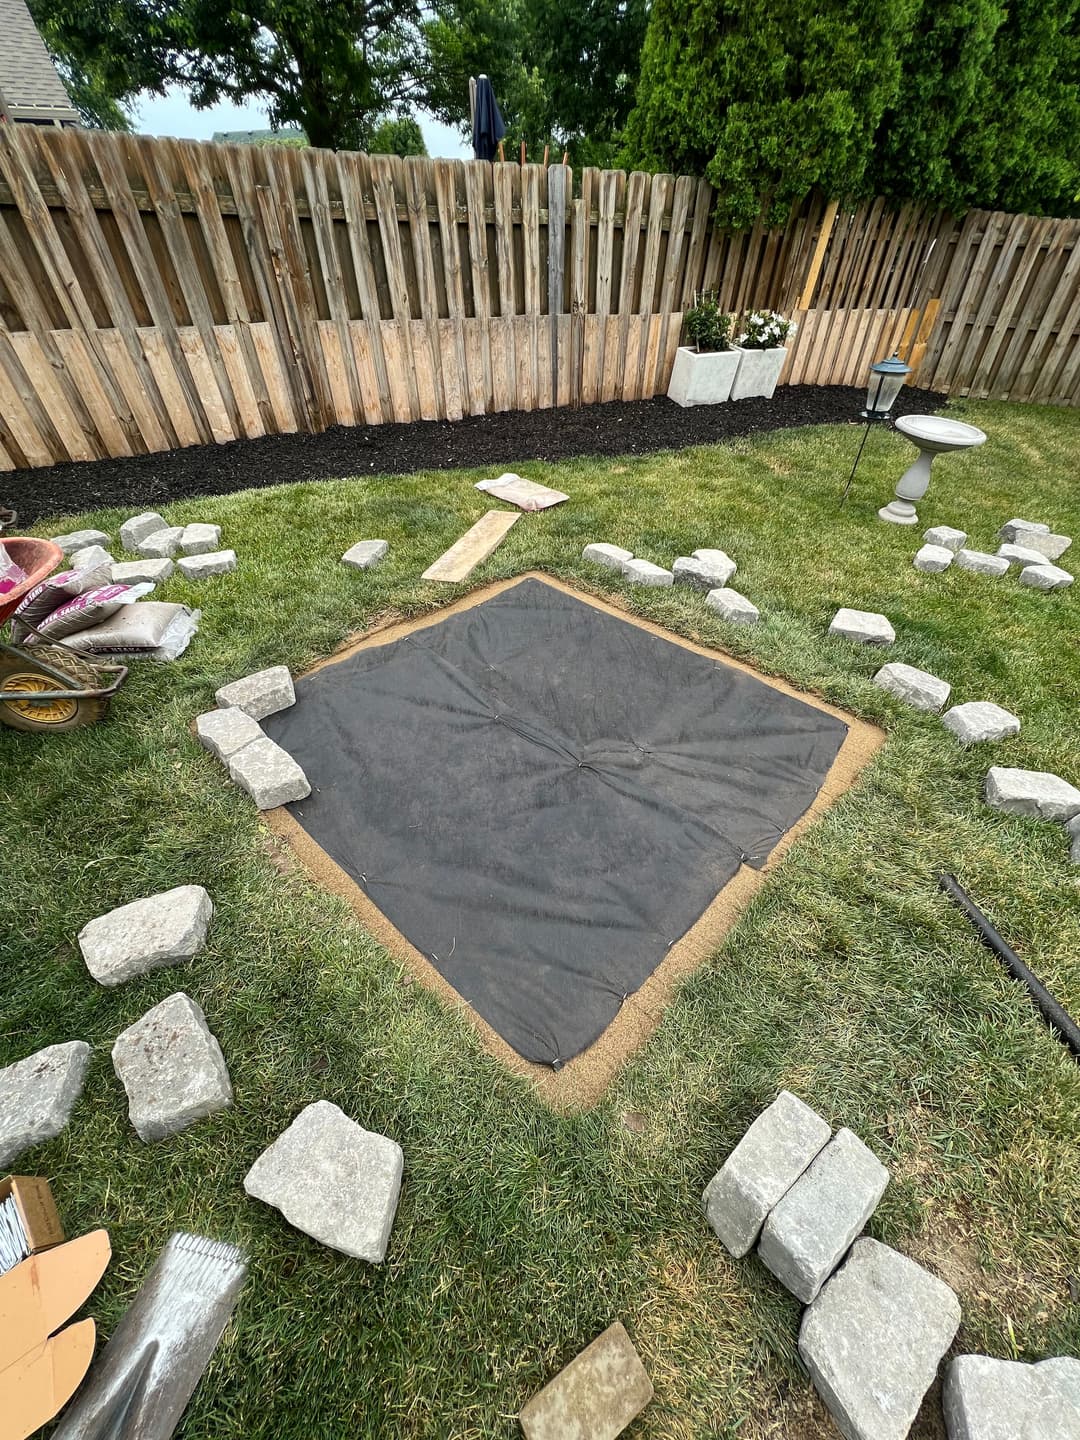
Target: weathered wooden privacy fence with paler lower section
point(159, 293)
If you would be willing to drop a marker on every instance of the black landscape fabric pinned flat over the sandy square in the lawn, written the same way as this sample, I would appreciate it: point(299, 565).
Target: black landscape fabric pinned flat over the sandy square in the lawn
point(544, 798)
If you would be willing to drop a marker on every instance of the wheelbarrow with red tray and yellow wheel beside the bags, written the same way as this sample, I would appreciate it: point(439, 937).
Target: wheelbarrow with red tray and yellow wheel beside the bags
point(50, 686)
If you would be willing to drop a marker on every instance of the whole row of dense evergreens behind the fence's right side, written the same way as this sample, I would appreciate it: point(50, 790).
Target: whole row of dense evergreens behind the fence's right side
point(955, 103)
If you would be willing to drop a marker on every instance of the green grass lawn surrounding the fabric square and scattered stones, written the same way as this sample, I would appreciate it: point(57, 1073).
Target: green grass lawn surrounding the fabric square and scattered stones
point(850, 980)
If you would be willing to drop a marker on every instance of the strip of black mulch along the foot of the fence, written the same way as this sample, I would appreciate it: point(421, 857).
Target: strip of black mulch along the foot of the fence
point(636, 428)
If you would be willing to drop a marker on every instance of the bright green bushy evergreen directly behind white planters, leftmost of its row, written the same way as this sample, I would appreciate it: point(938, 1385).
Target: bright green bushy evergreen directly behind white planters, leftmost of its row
point(768, 99)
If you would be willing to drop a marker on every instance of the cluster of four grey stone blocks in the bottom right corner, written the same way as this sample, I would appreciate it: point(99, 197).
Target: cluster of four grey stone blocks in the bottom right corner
point(878, 1326)
